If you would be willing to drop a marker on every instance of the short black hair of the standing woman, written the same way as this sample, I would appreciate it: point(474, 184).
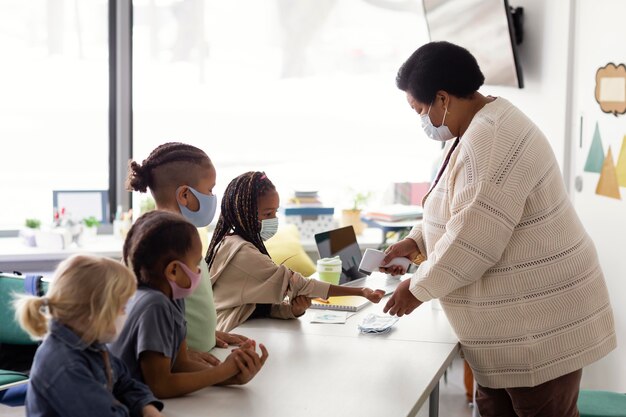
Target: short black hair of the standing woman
point(440, 66)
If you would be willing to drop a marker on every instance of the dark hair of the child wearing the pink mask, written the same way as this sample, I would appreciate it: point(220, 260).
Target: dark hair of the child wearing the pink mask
point(156, 239)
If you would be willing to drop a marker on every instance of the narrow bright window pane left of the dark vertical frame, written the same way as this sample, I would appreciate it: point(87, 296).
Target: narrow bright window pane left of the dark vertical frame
point(54, 103)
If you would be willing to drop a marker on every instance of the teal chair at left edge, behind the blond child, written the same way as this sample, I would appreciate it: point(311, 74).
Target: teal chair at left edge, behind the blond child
point(11, 334)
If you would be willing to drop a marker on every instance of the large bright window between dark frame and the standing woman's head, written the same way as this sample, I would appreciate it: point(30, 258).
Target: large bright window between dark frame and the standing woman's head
point(304, 90)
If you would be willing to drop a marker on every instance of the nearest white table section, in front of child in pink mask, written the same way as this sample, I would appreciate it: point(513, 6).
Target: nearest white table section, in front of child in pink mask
point(314, 375)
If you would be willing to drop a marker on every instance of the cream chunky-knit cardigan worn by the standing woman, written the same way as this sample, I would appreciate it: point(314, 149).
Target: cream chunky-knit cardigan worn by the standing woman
point(518, 276)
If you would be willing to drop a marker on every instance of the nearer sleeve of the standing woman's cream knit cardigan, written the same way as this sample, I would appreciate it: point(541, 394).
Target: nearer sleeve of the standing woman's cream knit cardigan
point(477, 233)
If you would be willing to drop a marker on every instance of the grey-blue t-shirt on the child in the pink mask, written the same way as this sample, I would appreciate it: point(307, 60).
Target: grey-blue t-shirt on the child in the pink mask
point(155, 323)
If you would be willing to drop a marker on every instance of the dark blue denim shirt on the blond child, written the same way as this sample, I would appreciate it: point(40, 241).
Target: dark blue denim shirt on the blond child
point(69, 378)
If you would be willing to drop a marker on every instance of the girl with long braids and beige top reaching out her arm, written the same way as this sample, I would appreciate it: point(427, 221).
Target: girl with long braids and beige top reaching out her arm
point(246, 283)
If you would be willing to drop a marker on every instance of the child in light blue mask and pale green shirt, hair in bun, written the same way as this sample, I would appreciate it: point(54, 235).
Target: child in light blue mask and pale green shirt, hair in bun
point(181, 178)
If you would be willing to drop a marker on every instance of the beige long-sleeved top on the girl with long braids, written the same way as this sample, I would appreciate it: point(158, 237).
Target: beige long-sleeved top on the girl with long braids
point(242, 277)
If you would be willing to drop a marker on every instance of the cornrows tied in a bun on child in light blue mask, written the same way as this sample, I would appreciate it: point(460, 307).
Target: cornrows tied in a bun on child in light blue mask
point(141, 177)
